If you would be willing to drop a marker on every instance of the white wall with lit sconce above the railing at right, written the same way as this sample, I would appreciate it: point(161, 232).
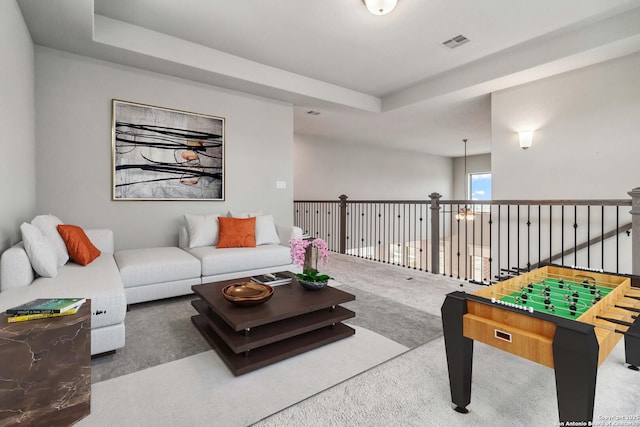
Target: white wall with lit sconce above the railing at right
point(587, 139)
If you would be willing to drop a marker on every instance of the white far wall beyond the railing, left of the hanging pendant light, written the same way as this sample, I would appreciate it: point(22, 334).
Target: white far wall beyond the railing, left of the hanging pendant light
point(326, 169)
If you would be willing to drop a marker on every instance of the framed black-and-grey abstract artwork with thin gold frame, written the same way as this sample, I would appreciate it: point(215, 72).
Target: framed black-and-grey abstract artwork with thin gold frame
point(165, 154)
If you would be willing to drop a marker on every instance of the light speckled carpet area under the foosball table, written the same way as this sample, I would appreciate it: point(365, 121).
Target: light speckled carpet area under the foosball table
point(413, 390)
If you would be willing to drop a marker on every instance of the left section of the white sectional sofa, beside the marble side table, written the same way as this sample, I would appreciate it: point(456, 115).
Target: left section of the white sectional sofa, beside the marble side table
point(99, 281)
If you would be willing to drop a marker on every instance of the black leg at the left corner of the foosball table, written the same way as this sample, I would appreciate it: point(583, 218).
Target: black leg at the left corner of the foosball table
point(459, 350)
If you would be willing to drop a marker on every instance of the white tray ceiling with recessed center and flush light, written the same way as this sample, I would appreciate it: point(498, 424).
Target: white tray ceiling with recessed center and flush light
point(382, 80)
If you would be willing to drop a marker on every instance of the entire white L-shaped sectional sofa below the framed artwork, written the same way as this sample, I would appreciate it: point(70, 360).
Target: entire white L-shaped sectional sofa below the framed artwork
point(114, 280)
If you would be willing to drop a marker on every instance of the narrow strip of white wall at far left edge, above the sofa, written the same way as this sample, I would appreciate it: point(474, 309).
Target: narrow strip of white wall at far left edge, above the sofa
point(17, 112)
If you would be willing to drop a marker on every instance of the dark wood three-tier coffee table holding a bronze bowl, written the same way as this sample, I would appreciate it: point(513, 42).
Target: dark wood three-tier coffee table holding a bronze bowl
point(293, 321)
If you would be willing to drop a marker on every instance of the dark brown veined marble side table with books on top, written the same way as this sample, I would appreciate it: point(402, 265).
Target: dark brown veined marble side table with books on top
point(45, 370)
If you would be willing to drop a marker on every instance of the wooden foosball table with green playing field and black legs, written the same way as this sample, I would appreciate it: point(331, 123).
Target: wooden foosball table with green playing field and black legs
point(568, 319)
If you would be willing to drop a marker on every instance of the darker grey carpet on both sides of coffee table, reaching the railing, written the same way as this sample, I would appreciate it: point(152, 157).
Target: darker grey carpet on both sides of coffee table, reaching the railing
point(388, 302)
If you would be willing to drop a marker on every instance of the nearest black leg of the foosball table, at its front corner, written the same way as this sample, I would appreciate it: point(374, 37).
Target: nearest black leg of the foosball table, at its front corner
point(575, 358)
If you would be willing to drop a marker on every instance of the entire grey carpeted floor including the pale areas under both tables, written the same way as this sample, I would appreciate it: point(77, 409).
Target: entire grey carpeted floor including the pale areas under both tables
point(166, 366)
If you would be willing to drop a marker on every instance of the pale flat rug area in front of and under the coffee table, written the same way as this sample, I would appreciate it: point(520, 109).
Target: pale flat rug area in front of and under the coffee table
point(199, 390)
